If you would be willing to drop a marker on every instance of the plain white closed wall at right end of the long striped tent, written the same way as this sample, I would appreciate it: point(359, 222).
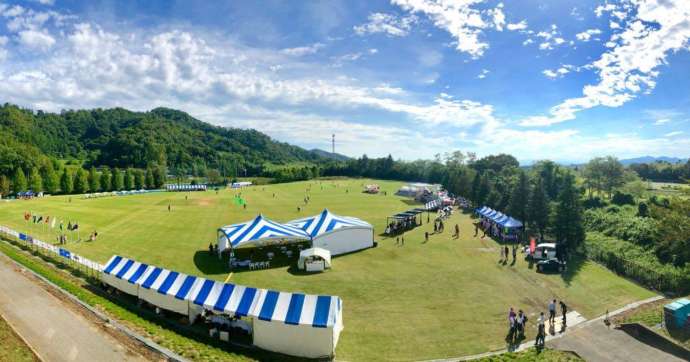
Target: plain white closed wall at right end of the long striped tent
point(296, 340)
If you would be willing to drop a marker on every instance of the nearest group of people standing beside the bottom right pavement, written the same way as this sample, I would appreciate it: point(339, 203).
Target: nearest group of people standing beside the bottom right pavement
point(518, 321)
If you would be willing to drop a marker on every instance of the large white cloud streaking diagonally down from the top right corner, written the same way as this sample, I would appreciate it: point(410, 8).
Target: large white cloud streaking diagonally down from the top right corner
point(630, 66)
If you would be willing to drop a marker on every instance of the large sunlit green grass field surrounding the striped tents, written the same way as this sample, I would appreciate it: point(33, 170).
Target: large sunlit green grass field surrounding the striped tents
point(438, 299)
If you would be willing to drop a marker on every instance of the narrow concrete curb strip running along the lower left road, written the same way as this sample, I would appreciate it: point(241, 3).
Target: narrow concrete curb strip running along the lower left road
point(109, 322)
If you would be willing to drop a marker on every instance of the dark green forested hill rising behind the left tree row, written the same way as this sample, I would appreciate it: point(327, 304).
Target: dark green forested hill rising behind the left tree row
point(122, 138)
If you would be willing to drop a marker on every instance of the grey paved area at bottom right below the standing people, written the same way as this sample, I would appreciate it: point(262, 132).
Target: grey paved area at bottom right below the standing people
point(595, 342)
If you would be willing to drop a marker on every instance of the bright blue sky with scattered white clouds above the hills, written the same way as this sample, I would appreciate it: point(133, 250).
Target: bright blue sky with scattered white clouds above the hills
point(564, 80)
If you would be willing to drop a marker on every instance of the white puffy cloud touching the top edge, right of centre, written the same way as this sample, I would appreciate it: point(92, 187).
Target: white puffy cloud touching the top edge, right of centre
point(459, 18)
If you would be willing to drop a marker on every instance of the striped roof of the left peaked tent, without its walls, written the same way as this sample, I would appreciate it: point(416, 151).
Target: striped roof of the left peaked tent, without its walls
point(254, 231)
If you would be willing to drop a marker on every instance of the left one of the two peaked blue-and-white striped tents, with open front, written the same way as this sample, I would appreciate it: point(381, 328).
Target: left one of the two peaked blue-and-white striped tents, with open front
point(257, 232)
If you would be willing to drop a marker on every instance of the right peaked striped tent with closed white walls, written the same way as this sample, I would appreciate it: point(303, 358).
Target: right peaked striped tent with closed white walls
point(337, 234)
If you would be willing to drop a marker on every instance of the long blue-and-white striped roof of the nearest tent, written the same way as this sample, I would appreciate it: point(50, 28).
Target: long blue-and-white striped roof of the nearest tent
point(291, 308)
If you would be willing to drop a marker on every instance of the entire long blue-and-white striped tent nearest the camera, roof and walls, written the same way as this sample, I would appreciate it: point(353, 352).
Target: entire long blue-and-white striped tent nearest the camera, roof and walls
point(291, 323)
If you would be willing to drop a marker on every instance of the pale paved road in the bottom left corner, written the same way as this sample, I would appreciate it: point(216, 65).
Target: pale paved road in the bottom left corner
point(51, 328)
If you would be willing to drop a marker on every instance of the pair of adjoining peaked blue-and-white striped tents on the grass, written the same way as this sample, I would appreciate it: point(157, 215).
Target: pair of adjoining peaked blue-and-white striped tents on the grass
point(337, 234)
